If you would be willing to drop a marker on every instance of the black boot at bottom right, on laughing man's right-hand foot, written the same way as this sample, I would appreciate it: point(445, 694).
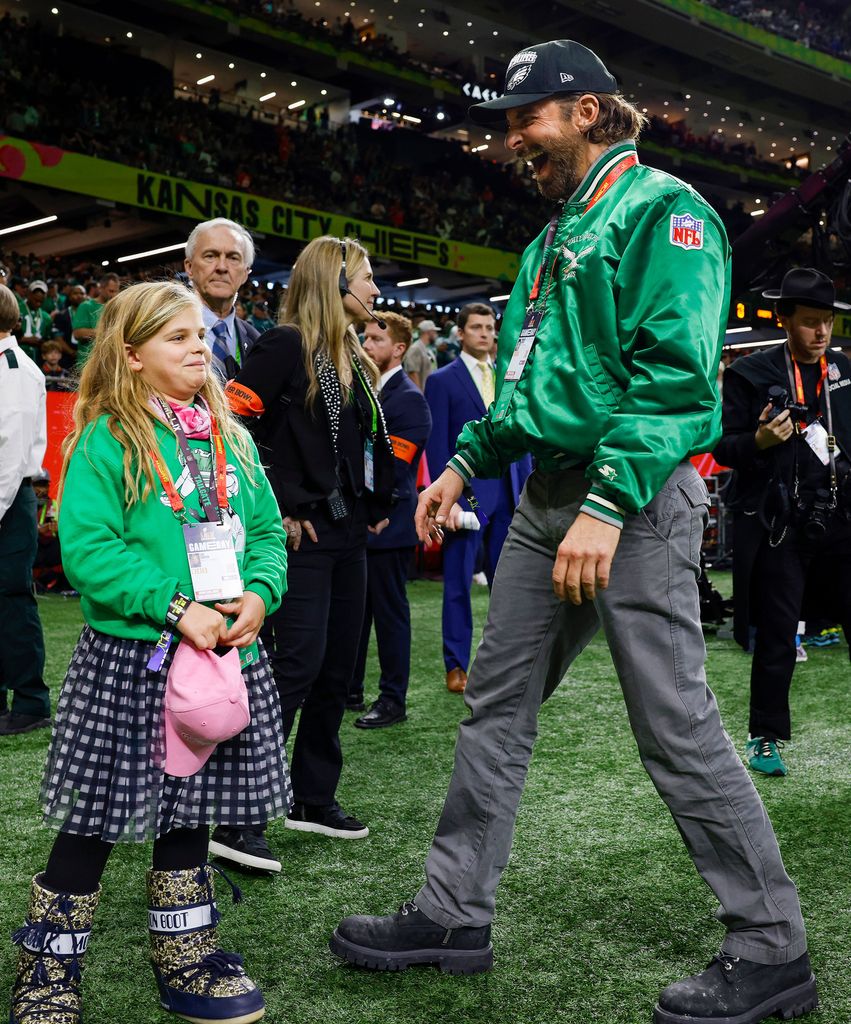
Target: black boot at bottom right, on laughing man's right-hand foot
point(733, 991)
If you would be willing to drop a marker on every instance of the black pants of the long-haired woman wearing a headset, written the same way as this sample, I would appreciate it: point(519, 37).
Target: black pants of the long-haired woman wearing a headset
point(313, 643)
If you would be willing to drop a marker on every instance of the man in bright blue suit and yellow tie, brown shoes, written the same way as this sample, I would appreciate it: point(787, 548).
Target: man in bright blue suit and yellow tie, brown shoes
point(459, 393)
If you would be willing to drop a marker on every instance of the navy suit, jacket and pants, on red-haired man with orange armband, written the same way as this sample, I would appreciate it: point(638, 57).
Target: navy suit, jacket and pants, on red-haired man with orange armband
point(389, 554)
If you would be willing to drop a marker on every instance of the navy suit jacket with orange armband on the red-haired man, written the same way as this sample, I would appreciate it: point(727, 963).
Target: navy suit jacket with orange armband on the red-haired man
point(409, 424)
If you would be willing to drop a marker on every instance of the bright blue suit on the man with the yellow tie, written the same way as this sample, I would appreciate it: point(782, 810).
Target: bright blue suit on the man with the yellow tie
point(454, 401)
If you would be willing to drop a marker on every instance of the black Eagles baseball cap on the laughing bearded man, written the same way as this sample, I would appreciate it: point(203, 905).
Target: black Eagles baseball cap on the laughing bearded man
point(546, 70)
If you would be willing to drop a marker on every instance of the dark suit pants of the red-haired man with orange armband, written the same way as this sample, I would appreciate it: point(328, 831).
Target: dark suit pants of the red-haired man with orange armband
point(388, 607)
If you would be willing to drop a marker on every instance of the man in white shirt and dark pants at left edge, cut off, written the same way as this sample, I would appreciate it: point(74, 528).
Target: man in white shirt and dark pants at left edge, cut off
point(23, 442)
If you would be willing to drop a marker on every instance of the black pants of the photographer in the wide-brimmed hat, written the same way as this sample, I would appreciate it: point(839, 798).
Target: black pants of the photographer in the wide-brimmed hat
point(779, 582)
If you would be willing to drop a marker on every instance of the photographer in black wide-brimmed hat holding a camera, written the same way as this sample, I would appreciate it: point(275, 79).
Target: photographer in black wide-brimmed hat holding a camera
point(787, 422)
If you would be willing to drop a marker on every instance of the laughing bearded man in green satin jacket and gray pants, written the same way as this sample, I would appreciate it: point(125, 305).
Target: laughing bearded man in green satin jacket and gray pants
point(608, 362)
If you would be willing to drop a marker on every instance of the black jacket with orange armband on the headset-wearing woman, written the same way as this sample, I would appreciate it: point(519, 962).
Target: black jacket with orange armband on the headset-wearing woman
point(295, 442)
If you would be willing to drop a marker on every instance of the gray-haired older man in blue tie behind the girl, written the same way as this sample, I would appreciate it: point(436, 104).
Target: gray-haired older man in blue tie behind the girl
point(220, 254)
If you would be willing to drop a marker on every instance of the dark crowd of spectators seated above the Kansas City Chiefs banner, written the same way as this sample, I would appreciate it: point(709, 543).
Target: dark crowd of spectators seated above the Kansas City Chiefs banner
point(401, 178)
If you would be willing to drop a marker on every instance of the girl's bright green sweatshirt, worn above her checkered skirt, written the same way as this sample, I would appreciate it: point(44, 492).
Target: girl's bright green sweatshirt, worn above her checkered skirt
point(129, 563)
